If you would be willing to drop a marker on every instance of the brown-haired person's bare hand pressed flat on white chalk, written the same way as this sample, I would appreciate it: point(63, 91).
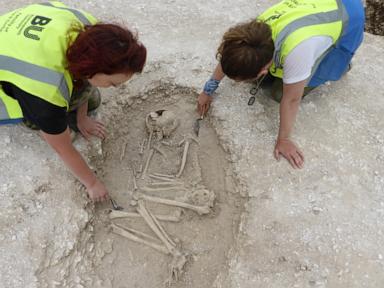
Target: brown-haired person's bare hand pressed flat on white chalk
point(290, 152)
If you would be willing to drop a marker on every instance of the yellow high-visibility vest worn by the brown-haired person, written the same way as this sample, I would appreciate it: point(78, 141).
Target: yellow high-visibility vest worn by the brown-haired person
point(293, 21)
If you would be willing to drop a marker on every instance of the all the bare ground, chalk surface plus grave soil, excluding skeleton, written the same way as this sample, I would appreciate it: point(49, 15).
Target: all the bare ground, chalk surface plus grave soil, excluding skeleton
point(317, 227)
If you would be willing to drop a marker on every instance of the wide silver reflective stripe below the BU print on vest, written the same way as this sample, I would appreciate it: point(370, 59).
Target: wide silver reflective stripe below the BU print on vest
point(37, 73)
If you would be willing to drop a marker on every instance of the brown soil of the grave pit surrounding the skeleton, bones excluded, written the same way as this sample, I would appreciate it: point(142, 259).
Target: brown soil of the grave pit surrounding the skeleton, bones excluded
point(206, 238)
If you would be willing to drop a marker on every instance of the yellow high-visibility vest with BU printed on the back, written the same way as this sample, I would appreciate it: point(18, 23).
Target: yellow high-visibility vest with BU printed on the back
point(33, 44)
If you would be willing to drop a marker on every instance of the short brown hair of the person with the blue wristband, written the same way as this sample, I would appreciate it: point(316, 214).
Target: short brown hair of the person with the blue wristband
point(245, 49)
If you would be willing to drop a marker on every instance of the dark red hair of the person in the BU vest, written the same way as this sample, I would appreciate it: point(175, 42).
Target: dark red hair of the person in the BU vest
point(105, 48)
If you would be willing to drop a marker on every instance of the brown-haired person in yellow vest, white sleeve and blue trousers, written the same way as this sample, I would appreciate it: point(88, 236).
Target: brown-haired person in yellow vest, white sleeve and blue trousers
point(297, 45)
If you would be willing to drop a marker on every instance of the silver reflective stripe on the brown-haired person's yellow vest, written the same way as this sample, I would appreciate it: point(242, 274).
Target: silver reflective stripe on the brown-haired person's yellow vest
point(309, 20)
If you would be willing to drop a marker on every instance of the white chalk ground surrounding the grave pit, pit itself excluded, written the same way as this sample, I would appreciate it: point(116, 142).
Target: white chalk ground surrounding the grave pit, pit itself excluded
point(316, 227)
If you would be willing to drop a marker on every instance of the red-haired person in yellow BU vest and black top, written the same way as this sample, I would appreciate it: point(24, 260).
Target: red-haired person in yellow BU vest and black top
point(51, 59)
